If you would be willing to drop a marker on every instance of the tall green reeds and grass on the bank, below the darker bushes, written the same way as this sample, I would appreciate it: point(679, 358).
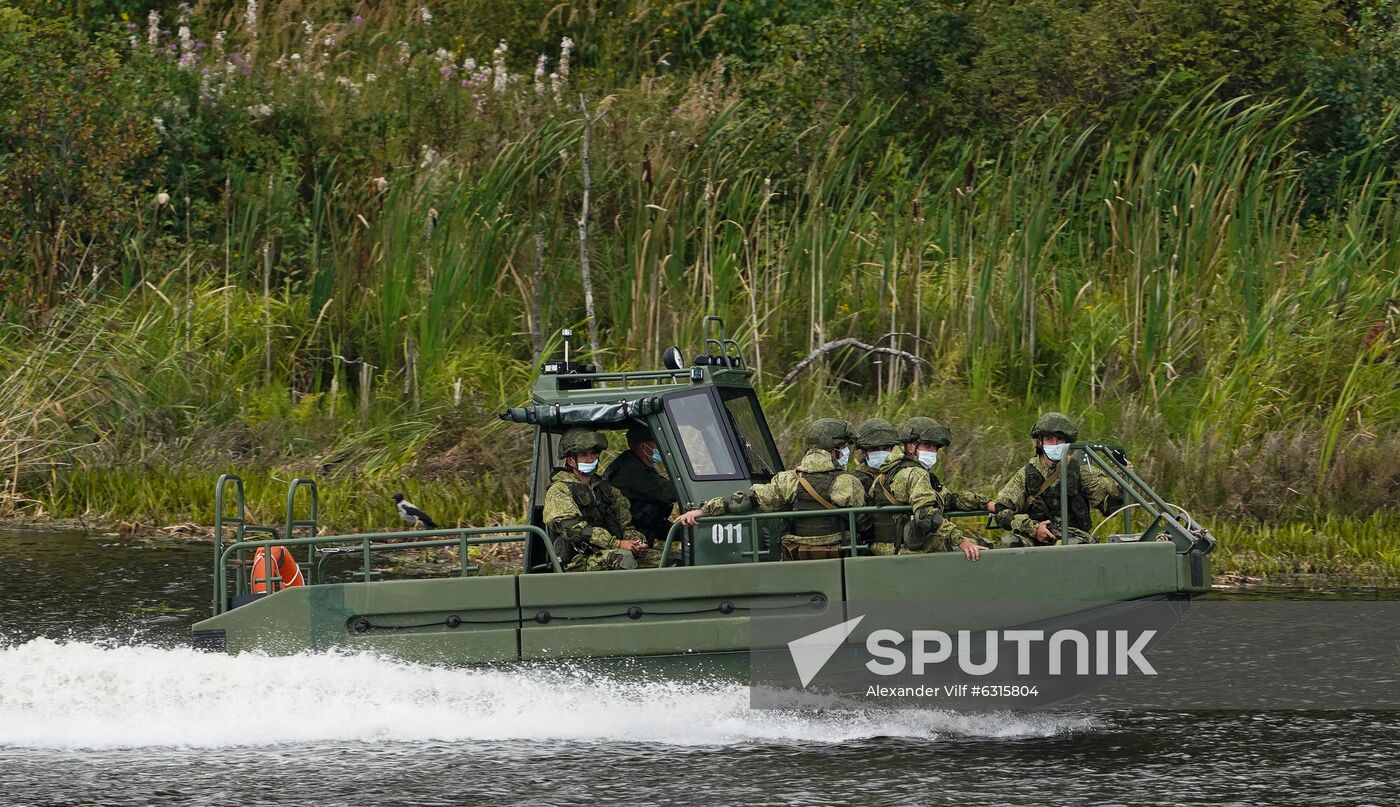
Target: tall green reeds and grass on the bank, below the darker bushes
point(1161, 275)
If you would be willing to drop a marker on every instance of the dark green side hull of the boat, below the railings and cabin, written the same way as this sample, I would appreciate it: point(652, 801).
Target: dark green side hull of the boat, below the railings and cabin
point(696, 619)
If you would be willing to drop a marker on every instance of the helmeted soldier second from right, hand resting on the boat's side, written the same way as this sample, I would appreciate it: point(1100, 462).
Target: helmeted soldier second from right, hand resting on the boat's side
point(905, 478)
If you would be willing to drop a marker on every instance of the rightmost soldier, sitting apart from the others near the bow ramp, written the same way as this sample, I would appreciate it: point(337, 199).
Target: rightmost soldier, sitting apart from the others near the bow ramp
point(1028, 505)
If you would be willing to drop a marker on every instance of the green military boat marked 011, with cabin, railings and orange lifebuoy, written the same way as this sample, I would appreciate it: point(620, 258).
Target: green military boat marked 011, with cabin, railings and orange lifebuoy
point(694, 613)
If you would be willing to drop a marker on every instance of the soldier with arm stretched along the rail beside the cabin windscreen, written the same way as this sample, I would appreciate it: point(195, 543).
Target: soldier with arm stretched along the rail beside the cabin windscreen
point(820, 483)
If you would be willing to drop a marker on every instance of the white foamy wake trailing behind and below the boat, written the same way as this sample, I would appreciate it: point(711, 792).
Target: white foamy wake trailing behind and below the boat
point(75, 696)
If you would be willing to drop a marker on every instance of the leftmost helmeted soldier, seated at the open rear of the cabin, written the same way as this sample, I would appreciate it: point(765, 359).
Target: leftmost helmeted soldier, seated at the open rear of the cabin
point(586, 516)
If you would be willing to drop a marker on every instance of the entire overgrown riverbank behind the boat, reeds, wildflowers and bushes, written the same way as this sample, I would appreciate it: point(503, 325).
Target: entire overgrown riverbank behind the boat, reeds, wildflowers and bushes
point(334, 237)
